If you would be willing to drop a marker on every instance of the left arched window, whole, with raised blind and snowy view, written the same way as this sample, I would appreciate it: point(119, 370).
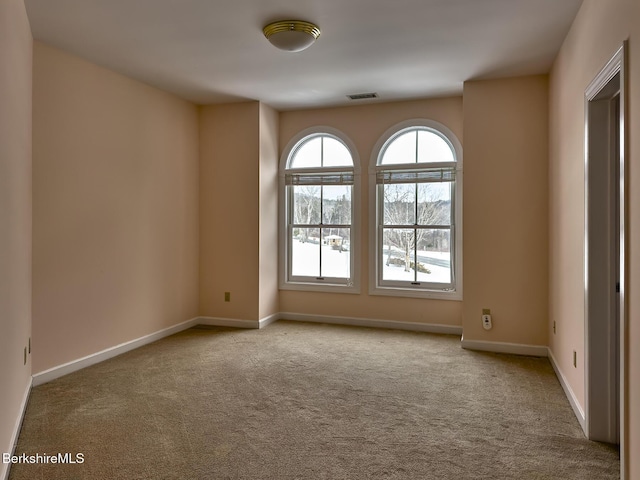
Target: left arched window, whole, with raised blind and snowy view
point(319, 237)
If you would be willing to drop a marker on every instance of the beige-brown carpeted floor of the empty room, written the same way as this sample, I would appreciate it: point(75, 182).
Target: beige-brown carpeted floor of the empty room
point(310, 401)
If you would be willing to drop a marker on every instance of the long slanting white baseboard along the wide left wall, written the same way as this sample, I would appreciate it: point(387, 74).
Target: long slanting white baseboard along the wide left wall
point(61, 370)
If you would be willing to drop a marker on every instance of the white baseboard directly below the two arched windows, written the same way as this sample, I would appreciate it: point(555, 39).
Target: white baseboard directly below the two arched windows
point(372, 322)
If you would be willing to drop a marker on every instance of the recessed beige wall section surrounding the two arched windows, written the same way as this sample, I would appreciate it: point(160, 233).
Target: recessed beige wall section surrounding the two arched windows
point(364, 125)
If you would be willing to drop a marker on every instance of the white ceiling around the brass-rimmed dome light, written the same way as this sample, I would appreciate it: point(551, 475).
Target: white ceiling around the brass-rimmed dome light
point(213, 51)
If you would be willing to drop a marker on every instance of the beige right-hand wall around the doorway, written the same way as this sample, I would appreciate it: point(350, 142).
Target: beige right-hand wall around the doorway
point(598, 31)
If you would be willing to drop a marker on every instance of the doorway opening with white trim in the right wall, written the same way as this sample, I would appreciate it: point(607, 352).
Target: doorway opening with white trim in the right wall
point(605, 206)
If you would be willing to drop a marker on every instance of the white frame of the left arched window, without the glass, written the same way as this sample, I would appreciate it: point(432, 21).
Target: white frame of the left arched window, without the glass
point(286, 280)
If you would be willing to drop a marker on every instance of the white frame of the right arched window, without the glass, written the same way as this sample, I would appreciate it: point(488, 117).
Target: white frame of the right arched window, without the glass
point(406, 289)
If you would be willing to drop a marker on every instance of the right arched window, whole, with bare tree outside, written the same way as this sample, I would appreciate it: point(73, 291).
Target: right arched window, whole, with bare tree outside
point(416, 181)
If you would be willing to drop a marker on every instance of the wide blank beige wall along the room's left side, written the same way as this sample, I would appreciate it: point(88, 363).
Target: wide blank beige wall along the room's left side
point(115, 209)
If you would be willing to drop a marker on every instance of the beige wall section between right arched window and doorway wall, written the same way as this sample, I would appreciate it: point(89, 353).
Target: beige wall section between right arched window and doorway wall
point(505, 209)
